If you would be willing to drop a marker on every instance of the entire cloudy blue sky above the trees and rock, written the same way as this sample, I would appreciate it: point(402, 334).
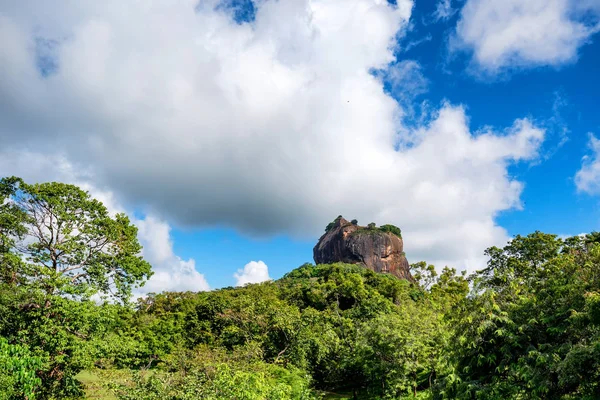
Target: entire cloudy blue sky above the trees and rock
point(239, 129)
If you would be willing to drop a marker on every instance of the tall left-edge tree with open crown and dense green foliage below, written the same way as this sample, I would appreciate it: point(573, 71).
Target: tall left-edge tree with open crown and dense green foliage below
point(59, 246)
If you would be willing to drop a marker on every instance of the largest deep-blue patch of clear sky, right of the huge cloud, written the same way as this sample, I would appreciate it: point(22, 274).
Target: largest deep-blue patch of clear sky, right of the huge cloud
point(563, 98)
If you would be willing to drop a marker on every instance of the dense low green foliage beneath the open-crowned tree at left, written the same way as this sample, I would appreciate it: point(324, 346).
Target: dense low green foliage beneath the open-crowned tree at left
point(63, 332)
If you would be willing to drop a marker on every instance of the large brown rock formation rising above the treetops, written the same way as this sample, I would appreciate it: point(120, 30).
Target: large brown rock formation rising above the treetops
point(379, 249)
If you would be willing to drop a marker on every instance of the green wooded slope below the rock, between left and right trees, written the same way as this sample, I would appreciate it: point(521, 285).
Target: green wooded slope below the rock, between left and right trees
point(335, 327)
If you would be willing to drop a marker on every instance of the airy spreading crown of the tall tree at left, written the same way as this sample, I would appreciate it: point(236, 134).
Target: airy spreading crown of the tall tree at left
point(70, 242)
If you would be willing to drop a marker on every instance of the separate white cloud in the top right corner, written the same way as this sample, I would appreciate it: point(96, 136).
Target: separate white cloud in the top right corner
point(515, 33)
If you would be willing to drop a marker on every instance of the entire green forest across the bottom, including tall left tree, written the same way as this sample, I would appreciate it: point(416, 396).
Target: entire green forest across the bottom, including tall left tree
point(526, 326)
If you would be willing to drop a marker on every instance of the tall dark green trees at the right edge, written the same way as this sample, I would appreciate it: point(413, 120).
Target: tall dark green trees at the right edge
point(529, 329)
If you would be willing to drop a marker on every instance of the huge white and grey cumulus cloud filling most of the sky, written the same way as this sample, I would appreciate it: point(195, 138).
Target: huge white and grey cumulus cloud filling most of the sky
point(274, 126)
